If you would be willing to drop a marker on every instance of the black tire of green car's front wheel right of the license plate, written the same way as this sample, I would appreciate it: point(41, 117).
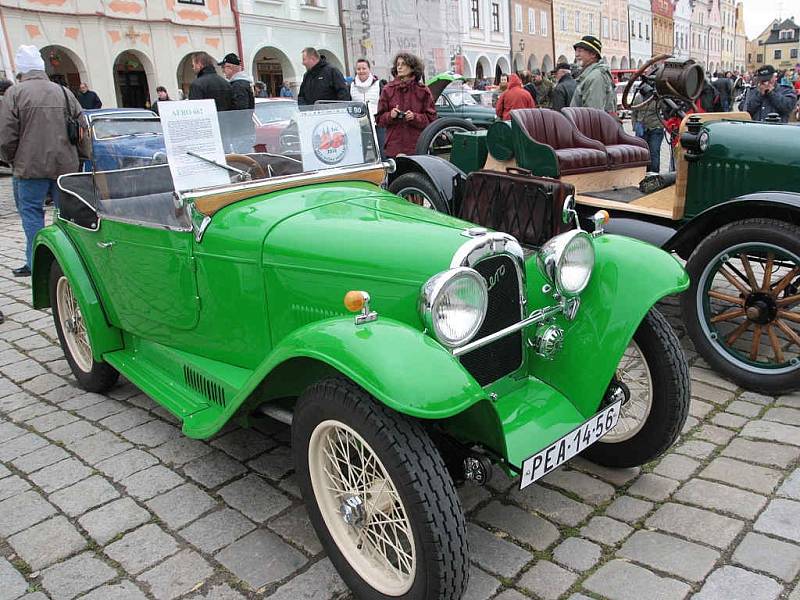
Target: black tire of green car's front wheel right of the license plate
point(669, 405)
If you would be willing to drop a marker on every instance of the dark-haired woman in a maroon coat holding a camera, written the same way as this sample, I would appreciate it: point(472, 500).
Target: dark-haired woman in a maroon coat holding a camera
point(405, 107)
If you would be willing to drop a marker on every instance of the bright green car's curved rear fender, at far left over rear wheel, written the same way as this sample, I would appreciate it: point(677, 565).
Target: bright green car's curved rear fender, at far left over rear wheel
point(50, 244)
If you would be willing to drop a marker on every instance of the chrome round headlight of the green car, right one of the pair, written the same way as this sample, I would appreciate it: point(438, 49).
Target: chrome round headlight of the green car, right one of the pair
point(567, 261)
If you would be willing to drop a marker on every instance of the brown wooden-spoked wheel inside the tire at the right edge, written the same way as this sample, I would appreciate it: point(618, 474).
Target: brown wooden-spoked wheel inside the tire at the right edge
point(749, 299)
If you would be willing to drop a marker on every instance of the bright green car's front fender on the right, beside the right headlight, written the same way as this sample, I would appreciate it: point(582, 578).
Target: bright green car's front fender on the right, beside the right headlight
point(629, 278)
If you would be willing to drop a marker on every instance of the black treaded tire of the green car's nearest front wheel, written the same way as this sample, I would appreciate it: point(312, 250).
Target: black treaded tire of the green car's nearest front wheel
point(416, 470)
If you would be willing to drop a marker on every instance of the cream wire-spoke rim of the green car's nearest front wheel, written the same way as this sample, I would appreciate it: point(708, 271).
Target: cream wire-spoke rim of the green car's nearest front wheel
point(362, 508)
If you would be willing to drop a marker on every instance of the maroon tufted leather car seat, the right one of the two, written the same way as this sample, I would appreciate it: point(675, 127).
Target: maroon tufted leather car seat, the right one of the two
point(623, 150)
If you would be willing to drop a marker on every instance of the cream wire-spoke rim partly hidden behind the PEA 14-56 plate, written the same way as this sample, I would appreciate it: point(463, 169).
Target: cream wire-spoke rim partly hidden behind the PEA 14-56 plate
point(634, 373)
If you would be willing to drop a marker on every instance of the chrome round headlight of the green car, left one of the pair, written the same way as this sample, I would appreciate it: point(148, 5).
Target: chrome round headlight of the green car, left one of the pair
point(454, 305)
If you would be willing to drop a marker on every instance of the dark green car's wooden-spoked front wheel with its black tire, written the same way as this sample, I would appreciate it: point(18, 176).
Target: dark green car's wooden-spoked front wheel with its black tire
point(712, 340)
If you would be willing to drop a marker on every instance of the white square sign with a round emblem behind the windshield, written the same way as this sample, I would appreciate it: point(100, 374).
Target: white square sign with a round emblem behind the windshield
point(329, 138)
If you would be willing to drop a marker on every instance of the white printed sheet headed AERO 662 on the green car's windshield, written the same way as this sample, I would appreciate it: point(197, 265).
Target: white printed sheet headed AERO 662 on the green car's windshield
point(191, 126)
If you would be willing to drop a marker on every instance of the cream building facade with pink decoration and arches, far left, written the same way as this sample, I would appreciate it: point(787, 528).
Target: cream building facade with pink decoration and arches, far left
point(122, 49)
